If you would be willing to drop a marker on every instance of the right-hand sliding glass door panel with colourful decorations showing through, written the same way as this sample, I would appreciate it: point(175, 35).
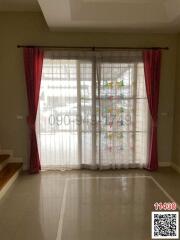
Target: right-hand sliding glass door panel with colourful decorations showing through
point(123, 114)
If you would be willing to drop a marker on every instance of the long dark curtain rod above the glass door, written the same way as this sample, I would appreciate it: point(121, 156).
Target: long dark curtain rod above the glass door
point(92, 48)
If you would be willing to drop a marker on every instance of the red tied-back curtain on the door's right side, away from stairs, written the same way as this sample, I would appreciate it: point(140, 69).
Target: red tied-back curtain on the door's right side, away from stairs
point(152, 67)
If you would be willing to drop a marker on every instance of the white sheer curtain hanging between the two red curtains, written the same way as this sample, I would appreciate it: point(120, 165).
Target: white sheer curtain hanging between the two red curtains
point(93, 110)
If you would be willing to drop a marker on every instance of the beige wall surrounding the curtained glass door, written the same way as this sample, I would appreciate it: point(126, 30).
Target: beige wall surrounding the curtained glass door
point(27, 28)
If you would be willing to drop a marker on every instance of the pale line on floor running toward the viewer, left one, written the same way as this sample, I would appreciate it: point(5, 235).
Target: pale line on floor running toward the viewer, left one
point(62, 212)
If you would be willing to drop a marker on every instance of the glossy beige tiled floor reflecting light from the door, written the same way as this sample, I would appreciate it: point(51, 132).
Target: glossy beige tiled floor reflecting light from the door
point(88, 206)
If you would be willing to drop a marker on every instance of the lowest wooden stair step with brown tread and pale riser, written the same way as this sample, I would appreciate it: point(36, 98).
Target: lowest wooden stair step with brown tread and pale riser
point(8, 175)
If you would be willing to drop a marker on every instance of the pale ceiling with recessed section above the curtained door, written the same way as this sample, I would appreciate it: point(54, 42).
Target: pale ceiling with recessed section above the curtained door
point(100, 15)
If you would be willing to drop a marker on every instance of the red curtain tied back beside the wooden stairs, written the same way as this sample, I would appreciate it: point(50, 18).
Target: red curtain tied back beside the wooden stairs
point(33, 62)
